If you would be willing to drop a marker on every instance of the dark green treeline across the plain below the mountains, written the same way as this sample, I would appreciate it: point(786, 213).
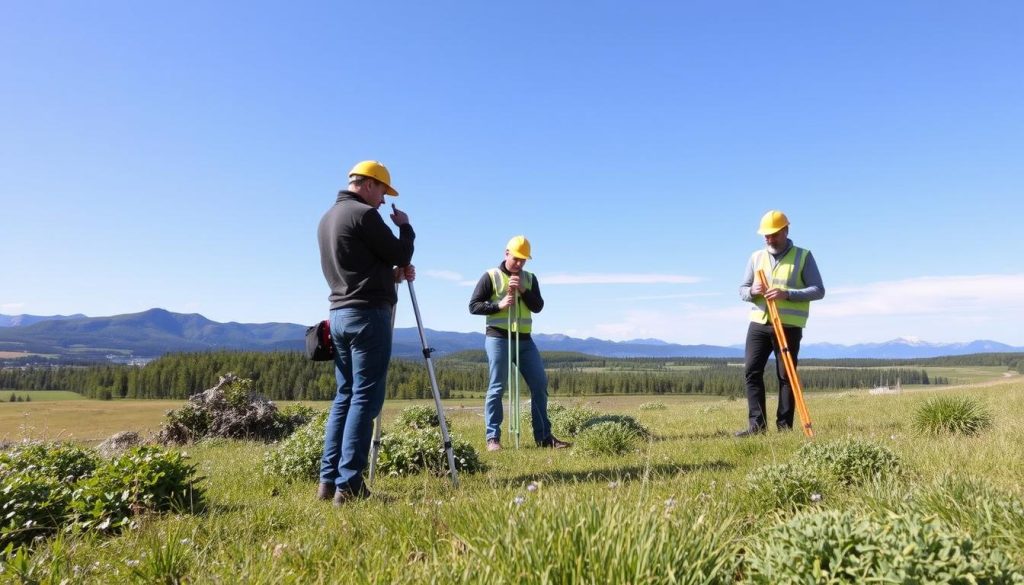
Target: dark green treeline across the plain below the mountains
point(290, 377)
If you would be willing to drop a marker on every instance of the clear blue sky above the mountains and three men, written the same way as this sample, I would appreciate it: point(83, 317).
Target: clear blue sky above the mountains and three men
point(181, 155)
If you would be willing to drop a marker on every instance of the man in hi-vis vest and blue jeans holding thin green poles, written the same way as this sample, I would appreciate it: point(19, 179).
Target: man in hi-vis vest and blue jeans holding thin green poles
point(494, 297)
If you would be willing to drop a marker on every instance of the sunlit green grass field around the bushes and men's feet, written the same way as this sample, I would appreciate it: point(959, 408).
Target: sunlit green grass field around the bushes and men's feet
point(685, 509)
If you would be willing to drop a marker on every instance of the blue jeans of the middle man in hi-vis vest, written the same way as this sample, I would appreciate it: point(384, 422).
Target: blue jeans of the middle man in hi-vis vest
point(532, 369)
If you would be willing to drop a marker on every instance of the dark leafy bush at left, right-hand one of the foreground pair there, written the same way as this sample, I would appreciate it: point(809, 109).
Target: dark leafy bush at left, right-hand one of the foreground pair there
point(143, 480)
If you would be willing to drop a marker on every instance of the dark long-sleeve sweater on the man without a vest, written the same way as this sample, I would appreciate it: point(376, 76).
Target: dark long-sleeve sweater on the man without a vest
point(359, 254)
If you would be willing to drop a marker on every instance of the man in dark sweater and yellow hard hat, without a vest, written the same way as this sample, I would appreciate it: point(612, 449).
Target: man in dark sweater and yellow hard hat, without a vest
point(360, 256)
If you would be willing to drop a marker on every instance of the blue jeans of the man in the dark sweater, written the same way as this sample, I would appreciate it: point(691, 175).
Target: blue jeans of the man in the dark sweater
point(363, 343)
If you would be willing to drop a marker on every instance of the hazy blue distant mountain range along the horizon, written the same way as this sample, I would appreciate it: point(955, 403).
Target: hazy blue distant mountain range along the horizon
point(154, 332)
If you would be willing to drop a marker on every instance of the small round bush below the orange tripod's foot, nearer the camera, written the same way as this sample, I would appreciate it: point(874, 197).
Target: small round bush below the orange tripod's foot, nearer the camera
point(786, 486)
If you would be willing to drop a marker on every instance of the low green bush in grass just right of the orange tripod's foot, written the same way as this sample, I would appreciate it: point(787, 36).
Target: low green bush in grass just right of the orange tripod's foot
point(851, 462)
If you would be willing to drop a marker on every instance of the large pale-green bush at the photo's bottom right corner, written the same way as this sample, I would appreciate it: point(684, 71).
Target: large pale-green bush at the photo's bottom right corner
point(847, 548)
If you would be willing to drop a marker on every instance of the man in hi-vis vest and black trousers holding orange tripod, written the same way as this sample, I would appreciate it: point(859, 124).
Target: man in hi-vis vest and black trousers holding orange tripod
point(794, 281)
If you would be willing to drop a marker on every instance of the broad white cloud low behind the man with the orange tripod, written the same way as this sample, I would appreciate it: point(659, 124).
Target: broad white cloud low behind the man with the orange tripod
point(932, 309)
